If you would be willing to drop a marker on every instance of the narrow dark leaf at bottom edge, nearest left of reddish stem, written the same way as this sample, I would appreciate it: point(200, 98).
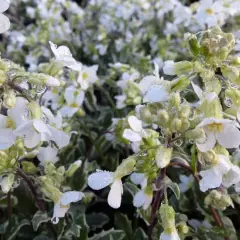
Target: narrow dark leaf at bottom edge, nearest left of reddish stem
point(123, 223)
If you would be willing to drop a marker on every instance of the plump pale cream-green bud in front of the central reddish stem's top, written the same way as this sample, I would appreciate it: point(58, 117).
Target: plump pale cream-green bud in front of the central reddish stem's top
point(163, 156)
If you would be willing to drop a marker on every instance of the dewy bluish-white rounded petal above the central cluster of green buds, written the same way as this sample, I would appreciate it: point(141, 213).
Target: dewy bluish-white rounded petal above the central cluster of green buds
point(156, 93)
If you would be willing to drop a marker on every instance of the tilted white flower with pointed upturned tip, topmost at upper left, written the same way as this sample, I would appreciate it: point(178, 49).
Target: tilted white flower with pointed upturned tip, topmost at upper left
point(64, 56)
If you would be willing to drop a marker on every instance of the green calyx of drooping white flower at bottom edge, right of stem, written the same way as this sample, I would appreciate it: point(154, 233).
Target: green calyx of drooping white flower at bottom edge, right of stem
point(167, 214)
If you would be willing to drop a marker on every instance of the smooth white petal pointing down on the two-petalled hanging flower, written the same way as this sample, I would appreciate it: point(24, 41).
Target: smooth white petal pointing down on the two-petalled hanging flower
point(115, 194)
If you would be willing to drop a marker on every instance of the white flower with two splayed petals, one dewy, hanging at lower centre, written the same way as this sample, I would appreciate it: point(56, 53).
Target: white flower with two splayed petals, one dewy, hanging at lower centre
point(102, 179)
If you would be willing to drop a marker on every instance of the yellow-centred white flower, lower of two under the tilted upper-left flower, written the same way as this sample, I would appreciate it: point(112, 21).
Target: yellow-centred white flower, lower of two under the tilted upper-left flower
point(74, 98)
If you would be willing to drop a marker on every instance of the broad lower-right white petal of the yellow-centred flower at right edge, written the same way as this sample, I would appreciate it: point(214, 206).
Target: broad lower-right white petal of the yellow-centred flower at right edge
point(229, 137)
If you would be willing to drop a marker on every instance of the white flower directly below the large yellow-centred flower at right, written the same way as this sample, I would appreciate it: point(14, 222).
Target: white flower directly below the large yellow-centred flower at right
point(213, 177)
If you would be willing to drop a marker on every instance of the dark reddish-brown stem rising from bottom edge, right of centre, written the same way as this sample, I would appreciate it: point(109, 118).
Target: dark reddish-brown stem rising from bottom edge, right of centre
point(156, 203)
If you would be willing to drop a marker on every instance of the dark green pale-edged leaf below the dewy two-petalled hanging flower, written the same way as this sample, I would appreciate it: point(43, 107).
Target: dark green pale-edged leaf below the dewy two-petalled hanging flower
point(97, 220)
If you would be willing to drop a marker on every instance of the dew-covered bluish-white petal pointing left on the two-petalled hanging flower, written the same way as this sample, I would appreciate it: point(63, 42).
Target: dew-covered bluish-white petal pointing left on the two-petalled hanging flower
point(100, 179)
